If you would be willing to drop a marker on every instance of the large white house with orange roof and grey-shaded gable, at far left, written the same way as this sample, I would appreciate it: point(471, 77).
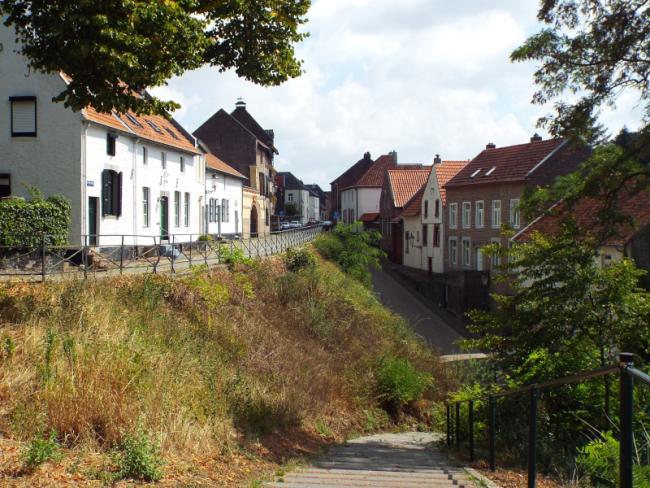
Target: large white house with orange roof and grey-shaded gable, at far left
point(124, 174)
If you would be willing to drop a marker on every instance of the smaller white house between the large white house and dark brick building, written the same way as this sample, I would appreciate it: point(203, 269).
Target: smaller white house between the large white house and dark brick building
point(223, 197)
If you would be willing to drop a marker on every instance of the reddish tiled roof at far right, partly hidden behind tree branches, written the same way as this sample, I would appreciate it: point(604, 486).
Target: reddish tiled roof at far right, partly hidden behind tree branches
point(586, 213)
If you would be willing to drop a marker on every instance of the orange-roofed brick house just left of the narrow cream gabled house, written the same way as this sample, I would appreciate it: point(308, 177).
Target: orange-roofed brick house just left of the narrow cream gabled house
point(401, 190)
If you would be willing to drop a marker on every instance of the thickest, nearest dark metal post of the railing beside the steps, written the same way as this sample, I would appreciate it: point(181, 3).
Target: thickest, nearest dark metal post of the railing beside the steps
point(626, 415)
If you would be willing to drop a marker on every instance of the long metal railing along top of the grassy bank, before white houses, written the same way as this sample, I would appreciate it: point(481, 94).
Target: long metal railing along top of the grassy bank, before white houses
point(129, 253)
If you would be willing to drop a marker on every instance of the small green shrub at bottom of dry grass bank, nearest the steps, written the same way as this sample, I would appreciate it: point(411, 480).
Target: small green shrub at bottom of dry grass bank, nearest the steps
point(138, 458)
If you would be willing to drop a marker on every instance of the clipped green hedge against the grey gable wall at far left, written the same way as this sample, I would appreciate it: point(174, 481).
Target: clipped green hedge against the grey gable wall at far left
point(24, 222)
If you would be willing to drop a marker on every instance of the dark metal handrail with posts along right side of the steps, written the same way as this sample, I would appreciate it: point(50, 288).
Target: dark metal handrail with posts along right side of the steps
point(627, 374)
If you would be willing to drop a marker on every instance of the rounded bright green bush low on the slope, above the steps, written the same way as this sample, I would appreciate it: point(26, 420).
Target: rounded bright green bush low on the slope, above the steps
point(399, 383)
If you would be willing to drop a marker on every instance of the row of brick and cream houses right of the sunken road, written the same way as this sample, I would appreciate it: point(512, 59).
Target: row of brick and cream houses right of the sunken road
point(437, 219)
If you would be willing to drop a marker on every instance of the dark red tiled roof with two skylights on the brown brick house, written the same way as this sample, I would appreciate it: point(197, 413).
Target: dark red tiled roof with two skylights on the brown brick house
point(505, 164)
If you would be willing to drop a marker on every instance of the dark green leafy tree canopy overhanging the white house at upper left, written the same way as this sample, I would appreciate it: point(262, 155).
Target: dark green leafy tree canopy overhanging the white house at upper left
point(113, 50)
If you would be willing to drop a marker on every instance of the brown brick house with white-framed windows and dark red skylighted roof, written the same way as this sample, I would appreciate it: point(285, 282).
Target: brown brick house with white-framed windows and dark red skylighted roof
point(484, 196)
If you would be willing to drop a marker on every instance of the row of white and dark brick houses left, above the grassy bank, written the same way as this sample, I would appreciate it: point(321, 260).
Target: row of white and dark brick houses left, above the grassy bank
point(139, 176)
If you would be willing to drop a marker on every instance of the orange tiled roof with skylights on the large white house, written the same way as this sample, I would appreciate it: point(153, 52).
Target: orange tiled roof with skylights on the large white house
point(141, 126)
